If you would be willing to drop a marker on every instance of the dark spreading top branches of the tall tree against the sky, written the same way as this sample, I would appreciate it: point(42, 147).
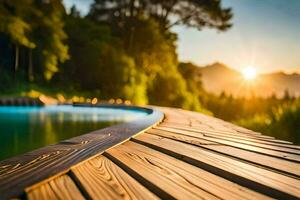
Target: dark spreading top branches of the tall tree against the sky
point(168, 13)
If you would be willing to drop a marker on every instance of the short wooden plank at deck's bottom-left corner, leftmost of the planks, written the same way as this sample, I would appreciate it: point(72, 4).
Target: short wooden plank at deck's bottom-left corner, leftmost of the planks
point(59, 188)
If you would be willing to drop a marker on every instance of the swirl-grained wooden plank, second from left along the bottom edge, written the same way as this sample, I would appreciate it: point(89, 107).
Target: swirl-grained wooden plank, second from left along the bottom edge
point(102, 179)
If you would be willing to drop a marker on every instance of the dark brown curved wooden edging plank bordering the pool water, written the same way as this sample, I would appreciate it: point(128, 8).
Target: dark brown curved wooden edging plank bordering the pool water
point(22, 171)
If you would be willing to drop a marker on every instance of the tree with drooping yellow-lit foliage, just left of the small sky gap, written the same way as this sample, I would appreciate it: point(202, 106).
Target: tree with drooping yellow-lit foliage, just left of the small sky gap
point(48, 34)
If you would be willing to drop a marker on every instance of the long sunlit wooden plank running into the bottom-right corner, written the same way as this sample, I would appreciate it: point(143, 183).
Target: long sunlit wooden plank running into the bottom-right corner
point(258, 179)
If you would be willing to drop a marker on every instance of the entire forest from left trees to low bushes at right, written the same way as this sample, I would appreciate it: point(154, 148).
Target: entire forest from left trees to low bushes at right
point(125, 50)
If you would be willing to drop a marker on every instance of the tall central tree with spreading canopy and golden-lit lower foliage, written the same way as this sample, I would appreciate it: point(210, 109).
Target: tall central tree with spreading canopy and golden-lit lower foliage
point(144, 29)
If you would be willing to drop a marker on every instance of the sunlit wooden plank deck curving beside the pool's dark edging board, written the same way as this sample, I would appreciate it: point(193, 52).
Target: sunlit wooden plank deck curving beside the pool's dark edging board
point(186, 156)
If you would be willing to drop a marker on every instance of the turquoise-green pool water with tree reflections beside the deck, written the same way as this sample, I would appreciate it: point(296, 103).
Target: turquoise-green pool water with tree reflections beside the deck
point(23, 129)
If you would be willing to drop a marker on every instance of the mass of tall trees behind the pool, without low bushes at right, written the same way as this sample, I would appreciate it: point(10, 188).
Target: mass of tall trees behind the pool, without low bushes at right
point(123, 49)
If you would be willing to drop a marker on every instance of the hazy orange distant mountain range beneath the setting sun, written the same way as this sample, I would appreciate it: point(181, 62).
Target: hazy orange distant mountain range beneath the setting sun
point(218, 78)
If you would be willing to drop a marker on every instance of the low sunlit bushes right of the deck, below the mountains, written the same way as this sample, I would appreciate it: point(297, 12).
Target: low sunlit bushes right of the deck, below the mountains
point(276, 117)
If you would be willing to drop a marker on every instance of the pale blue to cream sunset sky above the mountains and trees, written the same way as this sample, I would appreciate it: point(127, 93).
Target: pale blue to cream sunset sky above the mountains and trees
point(265, 35)
